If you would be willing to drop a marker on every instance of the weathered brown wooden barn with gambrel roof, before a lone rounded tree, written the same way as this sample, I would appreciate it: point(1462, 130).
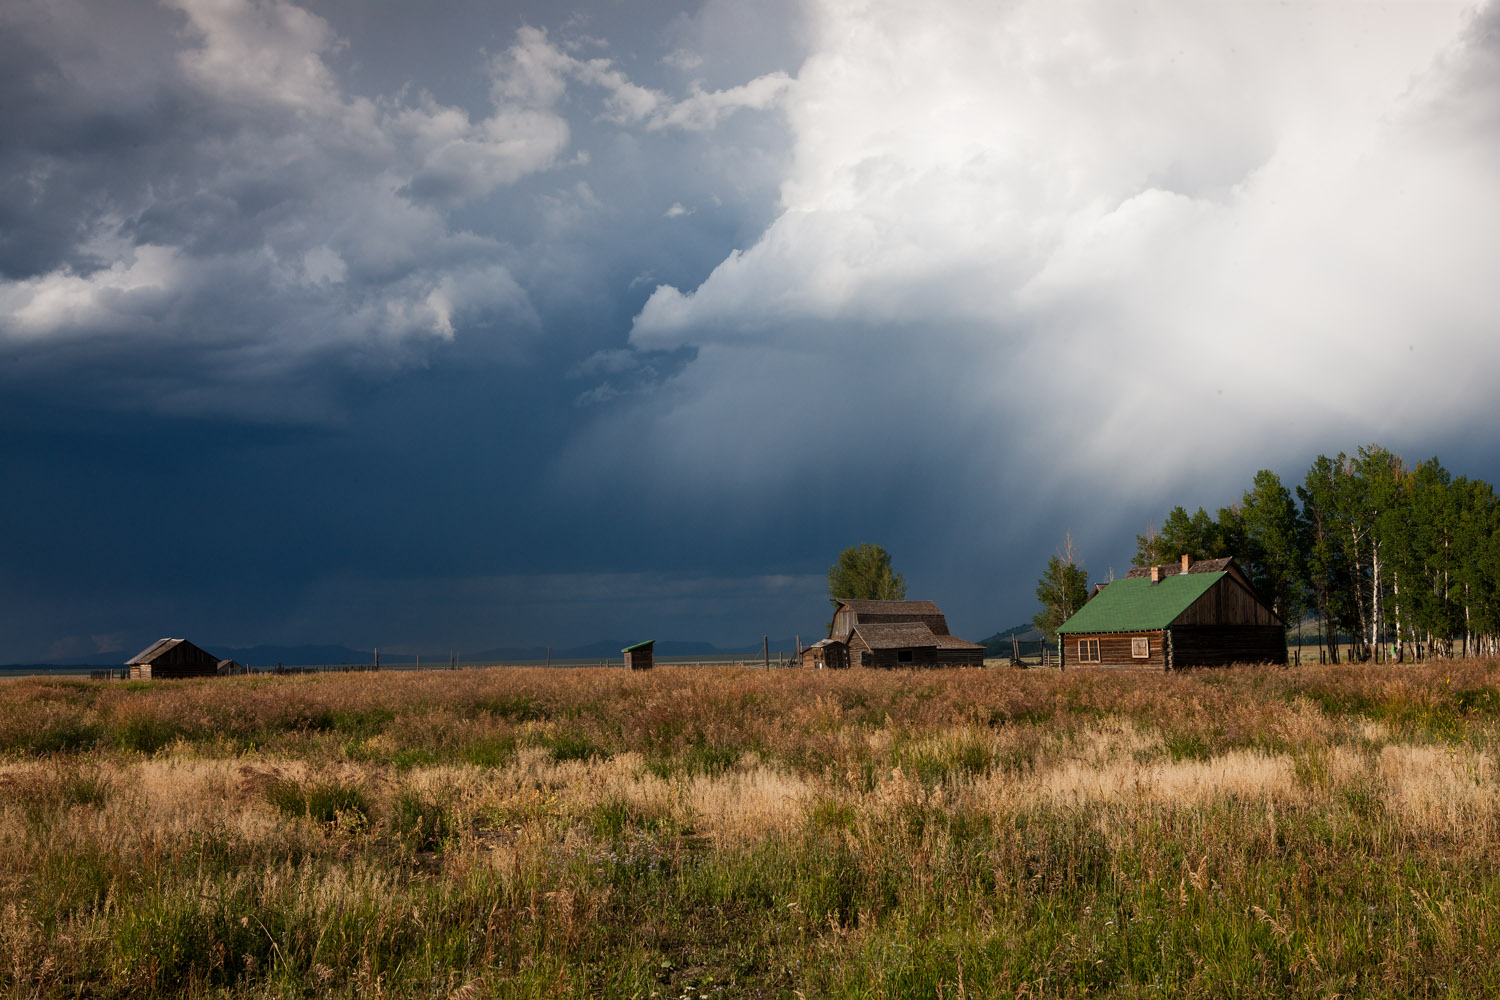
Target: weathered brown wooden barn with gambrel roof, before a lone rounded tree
point(901, 635)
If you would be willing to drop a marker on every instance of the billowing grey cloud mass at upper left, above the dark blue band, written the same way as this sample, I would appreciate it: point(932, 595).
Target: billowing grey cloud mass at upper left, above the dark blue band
point(205, 187)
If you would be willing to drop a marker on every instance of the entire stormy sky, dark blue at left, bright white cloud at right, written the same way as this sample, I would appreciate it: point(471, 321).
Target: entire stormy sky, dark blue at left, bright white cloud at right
point(475, 325)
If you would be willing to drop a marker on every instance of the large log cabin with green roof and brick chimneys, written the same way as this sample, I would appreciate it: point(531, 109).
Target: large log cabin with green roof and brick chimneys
point(1159, 618)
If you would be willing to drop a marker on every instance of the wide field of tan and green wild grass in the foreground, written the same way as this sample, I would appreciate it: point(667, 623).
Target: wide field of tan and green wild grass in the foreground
point(727, 833)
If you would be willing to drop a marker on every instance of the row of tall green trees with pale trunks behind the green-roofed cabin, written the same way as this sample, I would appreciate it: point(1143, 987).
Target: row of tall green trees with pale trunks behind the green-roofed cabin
point(1399, 558)
